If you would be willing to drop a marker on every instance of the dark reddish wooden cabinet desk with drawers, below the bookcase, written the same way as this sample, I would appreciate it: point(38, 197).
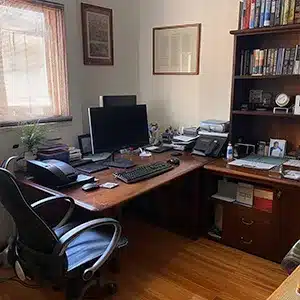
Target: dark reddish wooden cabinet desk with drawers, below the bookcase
point(270, 235)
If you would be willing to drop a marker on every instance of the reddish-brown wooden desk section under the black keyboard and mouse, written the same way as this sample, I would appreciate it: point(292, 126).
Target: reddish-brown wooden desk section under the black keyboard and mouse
point(173, 196)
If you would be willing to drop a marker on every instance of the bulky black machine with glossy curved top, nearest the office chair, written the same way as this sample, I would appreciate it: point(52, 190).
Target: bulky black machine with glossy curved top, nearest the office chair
point(52, 173)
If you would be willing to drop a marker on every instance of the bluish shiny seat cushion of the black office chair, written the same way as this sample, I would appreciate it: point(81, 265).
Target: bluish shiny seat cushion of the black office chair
point(88, 246)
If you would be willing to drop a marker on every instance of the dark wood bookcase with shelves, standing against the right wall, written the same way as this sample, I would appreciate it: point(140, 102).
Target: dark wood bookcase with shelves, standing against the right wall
point(254, 126)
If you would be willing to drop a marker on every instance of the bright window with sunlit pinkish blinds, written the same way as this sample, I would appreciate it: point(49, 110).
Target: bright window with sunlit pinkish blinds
point(33, 74)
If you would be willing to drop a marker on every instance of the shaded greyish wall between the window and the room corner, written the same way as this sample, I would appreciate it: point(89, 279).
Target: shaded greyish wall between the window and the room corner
point(86, 83)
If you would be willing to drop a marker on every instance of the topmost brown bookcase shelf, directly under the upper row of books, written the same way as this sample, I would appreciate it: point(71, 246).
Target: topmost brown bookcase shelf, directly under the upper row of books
point(267, 30)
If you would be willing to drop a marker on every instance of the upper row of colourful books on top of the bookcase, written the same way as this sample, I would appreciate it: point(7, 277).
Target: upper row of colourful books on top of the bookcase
point(264, 13)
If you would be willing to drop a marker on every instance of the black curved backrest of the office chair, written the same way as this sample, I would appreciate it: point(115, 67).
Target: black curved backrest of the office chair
point(32, 231)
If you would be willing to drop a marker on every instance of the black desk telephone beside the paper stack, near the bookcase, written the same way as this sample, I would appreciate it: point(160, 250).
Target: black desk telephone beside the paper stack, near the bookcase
point(210, 145)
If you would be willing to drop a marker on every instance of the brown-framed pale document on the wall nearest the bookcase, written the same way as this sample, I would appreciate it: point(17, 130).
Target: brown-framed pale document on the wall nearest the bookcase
point(176, 50)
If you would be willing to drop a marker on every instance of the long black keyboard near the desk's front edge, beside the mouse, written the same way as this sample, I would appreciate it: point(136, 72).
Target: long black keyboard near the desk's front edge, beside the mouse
point(143, 172)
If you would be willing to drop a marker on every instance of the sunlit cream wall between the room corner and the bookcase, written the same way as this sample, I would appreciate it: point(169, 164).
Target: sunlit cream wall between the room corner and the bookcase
point(185, 100)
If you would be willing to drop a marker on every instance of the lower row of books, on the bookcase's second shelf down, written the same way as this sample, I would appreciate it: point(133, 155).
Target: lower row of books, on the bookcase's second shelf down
point(281, 61)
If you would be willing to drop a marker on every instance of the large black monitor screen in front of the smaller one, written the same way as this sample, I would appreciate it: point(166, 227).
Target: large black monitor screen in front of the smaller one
point(114, 128)
